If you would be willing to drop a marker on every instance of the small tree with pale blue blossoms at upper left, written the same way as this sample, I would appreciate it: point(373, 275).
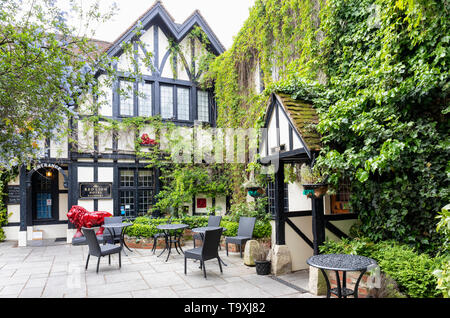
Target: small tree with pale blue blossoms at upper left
point(45, 69)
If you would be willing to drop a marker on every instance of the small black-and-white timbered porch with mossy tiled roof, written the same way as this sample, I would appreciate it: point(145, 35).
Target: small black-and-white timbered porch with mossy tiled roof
point(300, 224)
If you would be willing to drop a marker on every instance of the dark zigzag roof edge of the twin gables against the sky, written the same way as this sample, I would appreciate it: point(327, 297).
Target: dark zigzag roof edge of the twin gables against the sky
point(177, 31)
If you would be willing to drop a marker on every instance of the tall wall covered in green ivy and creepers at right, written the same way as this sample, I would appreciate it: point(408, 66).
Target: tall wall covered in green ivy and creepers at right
point(378, 73)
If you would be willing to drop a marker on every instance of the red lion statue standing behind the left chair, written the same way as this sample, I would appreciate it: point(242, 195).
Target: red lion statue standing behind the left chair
point(80, 217)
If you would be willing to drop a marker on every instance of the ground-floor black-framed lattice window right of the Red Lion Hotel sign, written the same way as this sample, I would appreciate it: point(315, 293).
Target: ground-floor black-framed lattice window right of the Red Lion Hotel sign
point(136, 191)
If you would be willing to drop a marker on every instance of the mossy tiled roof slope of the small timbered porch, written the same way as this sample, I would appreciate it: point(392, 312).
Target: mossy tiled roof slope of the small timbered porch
point(304, 118)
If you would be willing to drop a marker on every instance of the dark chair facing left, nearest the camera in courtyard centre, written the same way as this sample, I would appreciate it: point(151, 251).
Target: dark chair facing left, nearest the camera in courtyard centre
point(209, 250)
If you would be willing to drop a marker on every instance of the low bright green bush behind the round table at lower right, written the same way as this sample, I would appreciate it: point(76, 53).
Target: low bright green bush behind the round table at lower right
point(412, 271)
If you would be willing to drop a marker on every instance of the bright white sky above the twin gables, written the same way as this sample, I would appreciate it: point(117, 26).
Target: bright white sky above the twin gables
point(224, 17)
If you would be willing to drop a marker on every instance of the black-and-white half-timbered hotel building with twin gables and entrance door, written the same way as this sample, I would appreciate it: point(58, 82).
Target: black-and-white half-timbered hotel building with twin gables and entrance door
point(99, 169)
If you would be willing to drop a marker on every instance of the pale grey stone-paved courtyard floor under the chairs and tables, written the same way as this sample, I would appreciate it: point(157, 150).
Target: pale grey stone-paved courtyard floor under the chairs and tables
point(55, 270)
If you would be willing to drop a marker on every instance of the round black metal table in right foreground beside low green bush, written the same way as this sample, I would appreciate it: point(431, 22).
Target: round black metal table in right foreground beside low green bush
point(344, 263)
